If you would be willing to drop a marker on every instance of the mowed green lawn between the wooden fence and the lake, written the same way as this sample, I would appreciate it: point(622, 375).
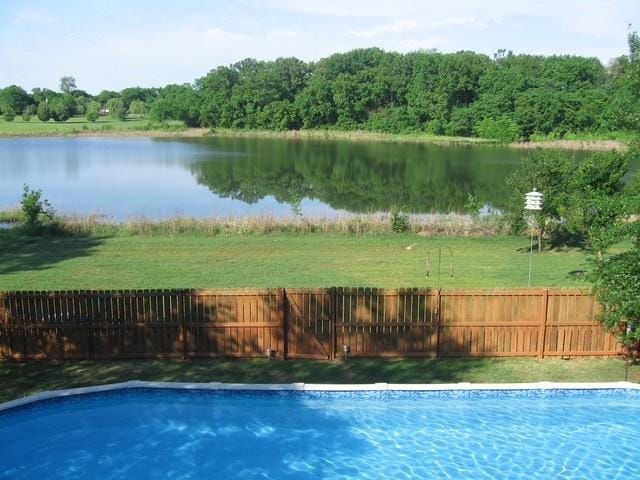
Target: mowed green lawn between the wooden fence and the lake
point(124, 261)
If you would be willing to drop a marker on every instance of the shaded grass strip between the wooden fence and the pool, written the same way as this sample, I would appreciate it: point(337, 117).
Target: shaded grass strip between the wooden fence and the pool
point(20, 379)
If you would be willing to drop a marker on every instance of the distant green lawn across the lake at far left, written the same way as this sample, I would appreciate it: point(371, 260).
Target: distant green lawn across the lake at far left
point(75, 125)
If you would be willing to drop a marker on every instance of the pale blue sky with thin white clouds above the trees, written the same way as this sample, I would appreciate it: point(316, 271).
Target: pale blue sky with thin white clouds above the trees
point(116, 43)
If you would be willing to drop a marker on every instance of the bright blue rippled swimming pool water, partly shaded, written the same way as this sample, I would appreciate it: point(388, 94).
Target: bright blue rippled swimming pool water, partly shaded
point(293, 435)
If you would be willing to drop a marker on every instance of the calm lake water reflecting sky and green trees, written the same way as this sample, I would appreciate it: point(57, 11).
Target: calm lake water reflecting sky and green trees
point(124, 177)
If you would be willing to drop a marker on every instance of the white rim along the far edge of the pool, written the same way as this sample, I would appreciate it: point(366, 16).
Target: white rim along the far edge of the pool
point(318, 387)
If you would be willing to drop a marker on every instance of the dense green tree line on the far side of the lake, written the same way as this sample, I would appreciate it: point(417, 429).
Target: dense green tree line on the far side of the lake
point(504, 97)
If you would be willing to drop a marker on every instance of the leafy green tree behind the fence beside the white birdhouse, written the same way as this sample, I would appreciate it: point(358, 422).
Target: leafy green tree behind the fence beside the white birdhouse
point(587, 199)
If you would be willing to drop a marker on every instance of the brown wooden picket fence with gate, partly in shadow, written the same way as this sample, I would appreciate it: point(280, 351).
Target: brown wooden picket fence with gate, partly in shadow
point(301, 323)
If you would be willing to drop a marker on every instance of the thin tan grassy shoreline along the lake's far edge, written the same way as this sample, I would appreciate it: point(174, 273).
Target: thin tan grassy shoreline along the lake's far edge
point(336, 135)
